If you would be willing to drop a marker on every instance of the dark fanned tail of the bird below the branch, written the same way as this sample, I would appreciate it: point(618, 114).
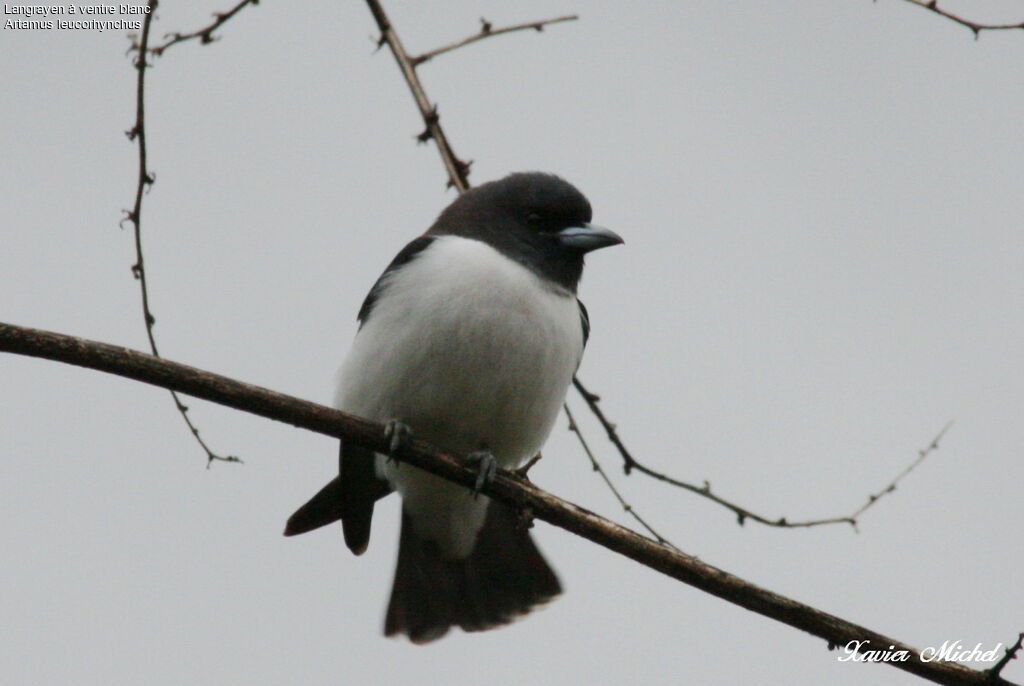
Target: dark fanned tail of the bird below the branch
point(503, 578)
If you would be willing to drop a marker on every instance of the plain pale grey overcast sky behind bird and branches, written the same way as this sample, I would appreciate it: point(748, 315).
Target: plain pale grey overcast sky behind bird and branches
point(823, 207)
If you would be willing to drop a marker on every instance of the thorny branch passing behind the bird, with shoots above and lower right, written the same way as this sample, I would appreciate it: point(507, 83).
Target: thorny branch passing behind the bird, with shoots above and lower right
point(458, 178)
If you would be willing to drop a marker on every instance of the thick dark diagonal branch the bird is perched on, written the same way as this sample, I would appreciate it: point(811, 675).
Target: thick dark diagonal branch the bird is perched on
point(506, 488)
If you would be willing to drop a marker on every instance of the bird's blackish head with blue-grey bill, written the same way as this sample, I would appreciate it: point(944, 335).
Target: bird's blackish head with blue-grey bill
point(537, 220)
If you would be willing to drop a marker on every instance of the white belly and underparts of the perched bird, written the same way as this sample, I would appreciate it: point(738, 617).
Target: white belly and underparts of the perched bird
point(474, 352)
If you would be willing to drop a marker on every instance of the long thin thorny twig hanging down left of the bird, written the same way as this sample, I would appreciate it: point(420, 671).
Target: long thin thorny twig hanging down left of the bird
point(146, 181)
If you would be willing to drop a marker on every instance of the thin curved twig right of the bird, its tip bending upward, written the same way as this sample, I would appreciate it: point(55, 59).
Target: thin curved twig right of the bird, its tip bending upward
point(743, 514)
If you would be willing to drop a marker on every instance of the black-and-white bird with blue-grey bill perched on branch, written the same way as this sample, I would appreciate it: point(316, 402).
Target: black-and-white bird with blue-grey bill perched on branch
point(470, 340)
